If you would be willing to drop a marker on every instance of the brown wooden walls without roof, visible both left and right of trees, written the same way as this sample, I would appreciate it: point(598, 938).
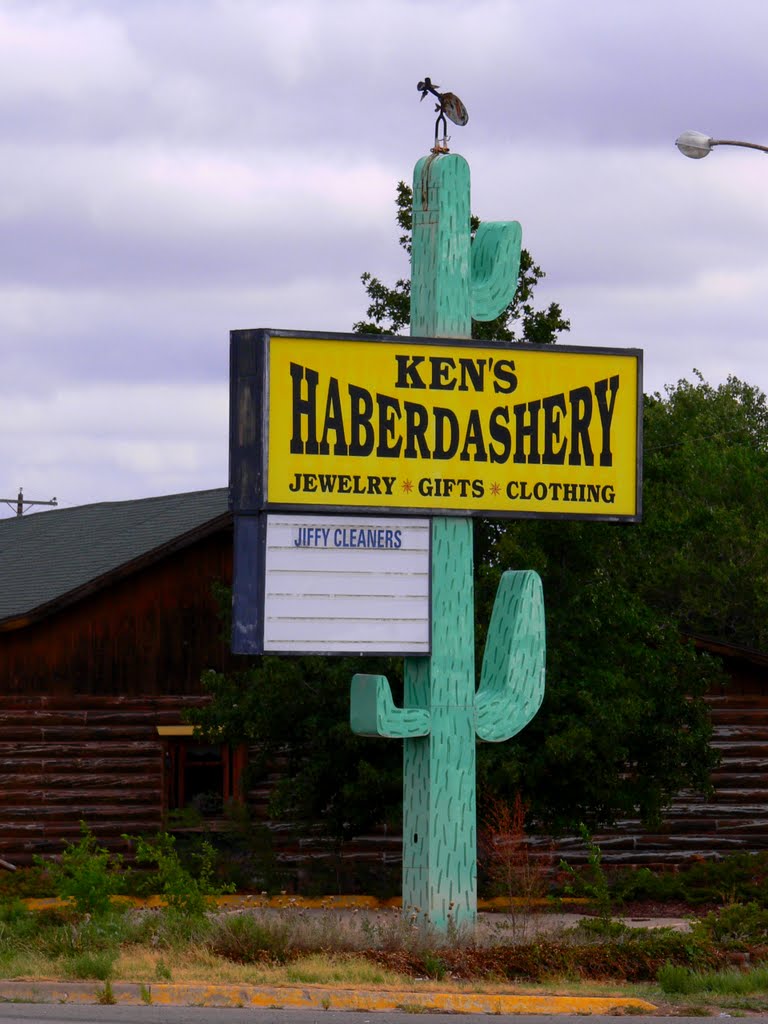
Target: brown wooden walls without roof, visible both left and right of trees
point(83, 691)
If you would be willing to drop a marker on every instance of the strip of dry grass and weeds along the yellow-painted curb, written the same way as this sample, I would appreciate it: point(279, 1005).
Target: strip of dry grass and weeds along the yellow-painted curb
point(296, 948)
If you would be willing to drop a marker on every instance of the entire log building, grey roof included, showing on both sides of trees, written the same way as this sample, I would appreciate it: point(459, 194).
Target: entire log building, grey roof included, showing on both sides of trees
point(108, 621)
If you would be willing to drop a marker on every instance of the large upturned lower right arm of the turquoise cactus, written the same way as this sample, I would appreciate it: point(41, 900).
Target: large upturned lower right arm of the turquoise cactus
point(514, 665)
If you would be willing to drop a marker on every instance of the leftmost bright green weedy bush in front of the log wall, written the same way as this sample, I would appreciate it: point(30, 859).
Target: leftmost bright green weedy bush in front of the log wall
point(86, 873)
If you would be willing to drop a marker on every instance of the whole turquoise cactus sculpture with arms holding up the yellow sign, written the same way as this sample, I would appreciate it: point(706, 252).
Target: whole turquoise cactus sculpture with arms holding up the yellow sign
point(454, 281)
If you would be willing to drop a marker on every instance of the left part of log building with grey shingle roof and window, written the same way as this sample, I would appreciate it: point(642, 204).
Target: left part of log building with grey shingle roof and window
point(107, 621)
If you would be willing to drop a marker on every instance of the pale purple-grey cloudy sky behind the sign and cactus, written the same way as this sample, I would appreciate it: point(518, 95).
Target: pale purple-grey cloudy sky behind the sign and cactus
point(173, 169)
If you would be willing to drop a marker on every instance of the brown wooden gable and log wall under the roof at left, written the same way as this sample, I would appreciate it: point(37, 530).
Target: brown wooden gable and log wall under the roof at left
point(83, 691)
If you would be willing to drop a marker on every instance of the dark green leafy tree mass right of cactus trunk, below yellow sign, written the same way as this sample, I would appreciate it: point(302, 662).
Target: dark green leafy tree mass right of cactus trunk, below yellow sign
point(623, 727)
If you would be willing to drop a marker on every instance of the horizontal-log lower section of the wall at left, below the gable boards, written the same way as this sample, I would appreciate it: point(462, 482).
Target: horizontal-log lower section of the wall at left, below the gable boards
point(72, 758)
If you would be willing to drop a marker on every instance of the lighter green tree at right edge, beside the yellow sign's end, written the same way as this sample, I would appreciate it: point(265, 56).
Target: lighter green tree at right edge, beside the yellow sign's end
point(707, 462)
